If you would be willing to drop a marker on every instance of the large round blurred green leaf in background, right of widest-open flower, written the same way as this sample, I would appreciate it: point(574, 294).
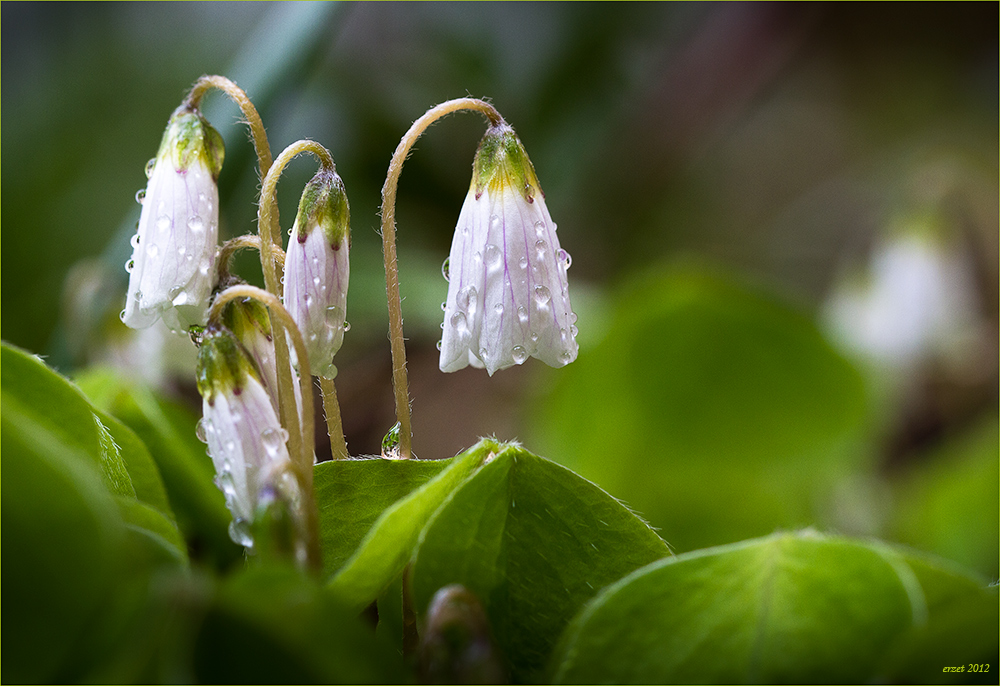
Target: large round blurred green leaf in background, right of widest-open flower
point(715, 410)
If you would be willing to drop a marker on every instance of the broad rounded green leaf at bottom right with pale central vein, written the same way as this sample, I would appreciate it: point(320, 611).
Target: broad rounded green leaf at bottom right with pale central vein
point(796, 607)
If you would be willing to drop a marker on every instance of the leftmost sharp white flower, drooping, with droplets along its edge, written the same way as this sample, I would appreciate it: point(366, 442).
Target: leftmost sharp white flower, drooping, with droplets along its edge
point(172, 265)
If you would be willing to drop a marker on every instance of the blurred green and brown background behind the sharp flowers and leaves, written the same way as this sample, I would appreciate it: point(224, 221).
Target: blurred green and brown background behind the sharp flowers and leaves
point(782, 217)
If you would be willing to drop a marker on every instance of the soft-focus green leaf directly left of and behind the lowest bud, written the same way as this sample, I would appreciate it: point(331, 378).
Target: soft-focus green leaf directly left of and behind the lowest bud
point(169, 431)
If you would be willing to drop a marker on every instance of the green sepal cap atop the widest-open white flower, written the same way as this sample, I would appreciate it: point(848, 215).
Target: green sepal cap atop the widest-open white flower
point(501, 161)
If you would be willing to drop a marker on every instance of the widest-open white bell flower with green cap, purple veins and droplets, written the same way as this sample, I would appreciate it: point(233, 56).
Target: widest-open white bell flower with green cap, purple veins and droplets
point(508, 296)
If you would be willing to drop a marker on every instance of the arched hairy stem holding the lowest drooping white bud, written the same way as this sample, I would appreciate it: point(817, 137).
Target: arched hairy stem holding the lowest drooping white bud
point(302, 447)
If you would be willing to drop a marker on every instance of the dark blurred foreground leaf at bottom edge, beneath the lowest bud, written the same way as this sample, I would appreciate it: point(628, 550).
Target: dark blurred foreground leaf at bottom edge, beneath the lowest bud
point(274, 625)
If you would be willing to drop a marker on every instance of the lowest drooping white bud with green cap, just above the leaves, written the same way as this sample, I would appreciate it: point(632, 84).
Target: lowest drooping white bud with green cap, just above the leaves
point(245, 438)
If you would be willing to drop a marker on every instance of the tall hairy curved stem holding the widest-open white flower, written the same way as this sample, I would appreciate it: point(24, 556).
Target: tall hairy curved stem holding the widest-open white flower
point(389, 252)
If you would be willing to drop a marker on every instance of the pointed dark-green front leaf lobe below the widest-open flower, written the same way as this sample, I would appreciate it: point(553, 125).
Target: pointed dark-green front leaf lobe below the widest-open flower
point(534, 542)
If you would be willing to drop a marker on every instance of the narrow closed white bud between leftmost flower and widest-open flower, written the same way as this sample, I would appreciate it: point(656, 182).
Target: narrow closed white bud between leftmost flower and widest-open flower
point(317, 269)
